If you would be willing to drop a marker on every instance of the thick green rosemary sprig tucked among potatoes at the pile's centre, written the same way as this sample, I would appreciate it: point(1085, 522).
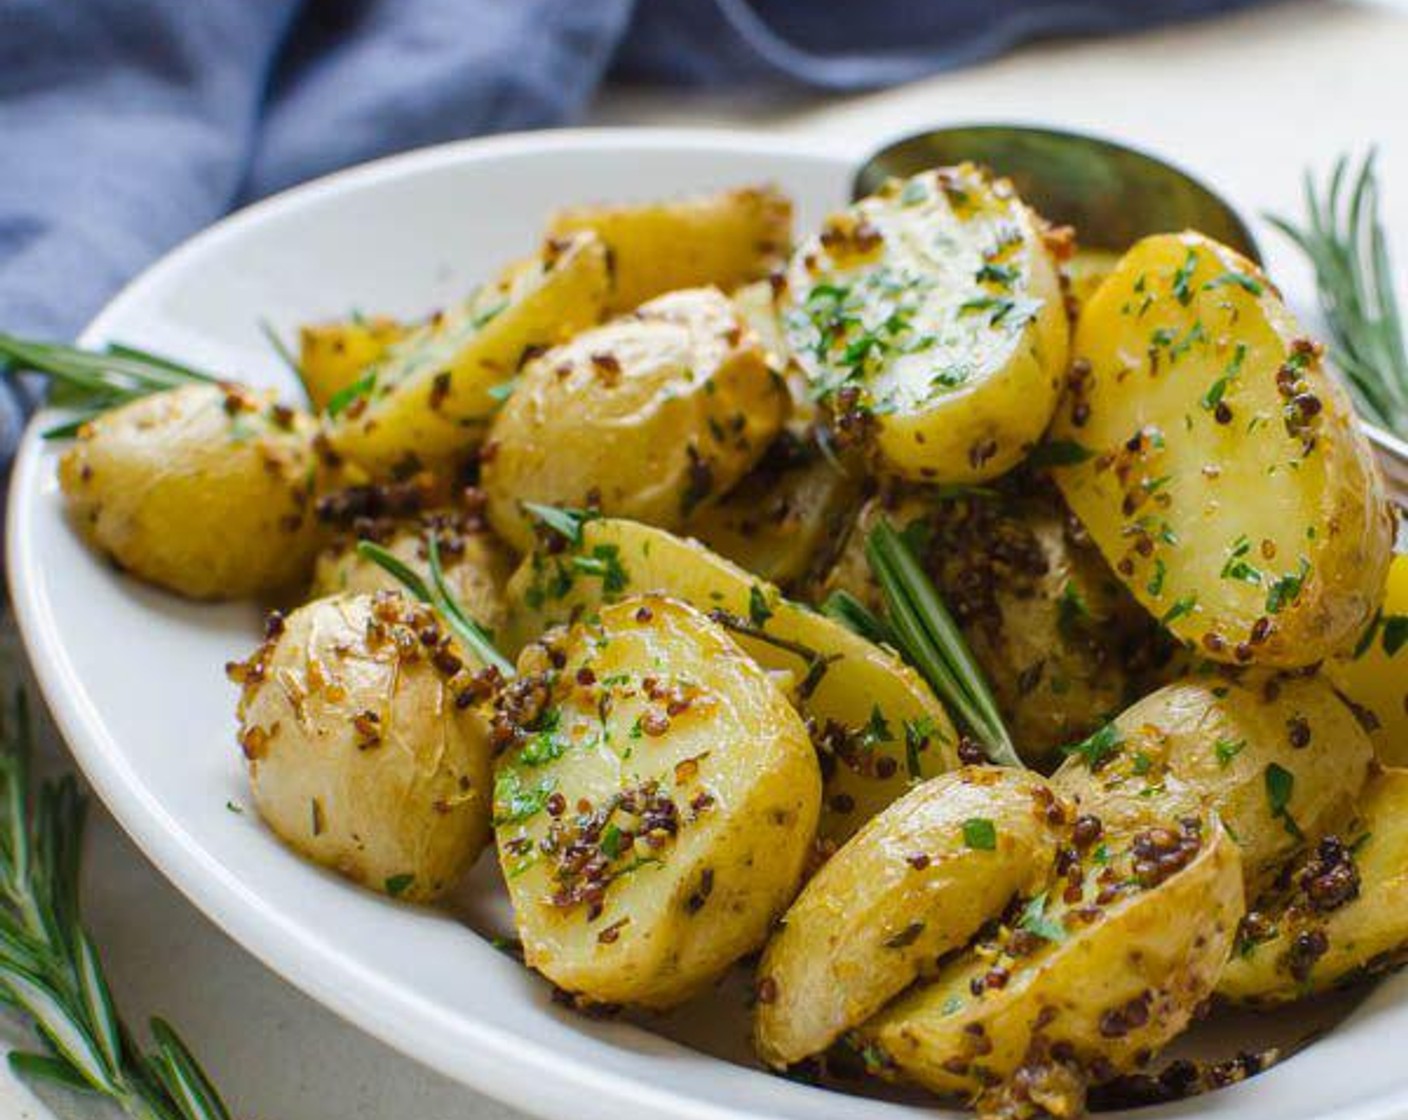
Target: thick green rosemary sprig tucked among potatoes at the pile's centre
point(929, 637)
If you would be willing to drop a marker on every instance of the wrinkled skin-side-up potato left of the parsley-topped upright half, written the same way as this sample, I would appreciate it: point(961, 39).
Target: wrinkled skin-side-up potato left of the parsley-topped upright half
point(650, 416)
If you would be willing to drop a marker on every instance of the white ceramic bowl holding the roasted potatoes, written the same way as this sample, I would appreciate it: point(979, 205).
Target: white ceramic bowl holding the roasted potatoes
point(136, 677)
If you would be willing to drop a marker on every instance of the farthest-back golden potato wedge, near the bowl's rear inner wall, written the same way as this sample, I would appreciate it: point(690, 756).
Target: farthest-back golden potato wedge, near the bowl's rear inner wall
point(726, 240)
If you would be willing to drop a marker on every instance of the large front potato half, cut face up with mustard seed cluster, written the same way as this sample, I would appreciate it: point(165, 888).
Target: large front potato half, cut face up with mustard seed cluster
point(655, 808)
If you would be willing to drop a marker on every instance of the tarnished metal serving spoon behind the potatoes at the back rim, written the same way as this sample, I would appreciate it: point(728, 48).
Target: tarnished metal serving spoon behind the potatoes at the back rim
point(1110, 194)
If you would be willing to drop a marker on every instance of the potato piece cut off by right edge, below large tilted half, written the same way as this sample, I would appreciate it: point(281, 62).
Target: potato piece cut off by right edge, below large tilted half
point(1375, 674)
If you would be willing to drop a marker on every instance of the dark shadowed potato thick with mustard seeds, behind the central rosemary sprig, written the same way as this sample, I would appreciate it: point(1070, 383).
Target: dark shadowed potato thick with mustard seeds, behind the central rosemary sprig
point(1060, 640)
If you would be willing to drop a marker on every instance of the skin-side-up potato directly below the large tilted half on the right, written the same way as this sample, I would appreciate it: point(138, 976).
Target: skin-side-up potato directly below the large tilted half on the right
point(1279, 759)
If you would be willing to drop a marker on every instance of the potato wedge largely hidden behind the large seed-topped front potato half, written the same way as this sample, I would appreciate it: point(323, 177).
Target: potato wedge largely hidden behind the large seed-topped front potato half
point(875, 722)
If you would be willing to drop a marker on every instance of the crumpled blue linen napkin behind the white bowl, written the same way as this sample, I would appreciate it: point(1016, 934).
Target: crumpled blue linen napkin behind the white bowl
point(130, 125)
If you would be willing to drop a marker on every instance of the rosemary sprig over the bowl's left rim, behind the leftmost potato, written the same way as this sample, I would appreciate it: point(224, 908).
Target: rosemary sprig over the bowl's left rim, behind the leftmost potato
point(95, 381)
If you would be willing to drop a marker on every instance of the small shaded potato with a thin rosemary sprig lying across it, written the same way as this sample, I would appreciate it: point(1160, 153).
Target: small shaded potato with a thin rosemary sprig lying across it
point(477, 567)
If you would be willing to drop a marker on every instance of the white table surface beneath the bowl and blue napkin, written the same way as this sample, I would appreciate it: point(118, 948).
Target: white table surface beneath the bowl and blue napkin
point(1245, 101)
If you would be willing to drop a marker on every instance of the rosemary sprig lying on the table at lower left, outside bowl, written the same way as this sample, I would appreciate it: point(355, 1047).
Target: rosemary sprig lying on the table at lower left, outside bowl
point(51, 970)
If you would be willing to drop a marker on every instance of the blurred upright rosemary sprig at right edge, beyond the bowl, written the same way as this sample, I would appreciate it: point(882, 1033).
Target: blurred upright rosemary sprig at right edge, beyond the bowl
point(1345, 243)
